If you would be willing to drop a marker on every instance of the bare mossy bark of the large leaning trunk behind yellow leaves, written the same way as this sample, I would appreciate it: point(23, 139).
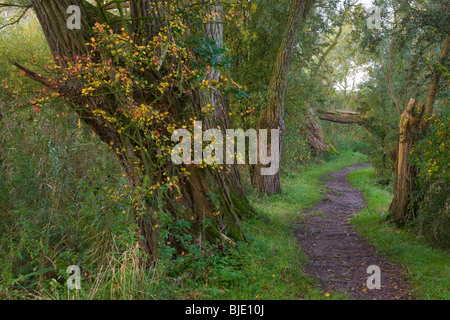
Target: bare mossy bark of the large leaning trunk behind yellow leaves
point(212, 202)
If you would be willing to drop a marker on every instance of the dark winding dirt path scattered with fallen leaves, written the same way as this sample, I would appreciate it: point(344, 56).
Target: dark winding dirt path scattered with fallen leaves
point(339, 257)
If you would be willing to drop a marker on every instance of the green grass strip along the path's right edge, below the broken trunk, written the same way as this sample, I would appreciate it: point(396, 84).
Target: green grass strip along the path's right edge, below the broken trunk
point(428, 268)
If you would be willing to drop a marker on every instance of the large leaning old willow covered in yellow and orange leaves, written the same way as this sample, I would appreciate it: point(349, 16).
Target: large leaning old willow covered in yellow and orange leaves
point(134, 72)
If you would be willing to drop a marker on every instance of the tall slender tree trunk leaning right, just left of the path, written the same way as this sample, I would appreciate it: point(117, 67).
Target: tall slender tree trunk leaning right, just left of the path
point(272, 117)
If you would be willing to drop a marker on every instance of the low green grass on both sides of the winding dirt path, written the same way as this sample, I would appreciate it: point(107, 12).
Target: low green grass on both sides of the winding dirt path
point(270, 264)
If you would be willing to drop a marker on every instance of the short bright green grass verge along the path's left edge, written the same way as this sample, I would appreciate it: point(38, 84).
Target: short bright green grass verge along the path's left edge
point(270, 264)
